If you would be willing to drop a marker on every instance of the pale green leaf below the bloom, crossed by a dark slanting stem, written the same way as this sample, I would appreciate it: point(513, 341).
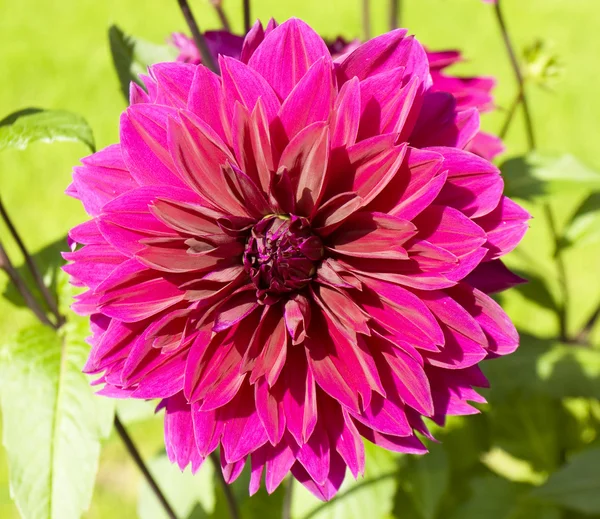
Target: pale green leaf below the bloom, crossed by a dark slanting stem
point(185, 492)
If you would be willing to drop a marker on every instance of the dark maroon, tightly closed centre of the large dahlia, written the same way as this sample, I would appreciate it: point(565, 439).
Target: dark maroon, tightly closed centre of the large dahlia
point(281, 256)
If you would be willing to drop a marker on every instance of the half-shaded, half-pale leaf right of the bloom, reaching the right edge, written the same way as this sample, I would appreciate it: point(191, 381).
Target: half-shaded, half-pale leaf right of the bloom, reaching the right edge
point(535, 176)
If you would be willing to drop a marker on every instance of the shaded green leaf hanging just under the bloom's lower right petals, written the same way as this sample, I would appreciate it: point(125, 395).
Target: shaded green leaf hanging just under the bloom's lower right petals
point(427, 479)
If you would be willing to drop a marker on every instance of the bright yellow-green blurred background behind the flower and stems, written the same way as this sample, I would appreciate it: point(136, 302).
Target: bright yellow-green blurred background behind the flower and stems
point(56, 55)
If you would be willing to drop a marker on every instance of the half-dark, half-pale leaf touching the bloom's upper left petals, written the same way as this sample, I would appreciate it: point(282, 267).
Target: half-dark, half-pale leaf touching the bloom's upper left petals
point(131, 57)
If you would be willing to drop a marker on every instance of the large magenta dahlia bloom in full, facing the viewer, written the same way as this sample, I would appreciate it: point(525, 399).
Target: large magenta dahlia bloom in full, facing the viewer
point(294, 256)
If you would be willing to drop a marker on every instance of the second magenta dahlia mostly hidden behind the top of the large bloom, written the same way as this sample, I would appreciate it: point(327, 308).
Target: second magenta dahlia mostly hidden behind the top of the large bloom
point(469, 92)
